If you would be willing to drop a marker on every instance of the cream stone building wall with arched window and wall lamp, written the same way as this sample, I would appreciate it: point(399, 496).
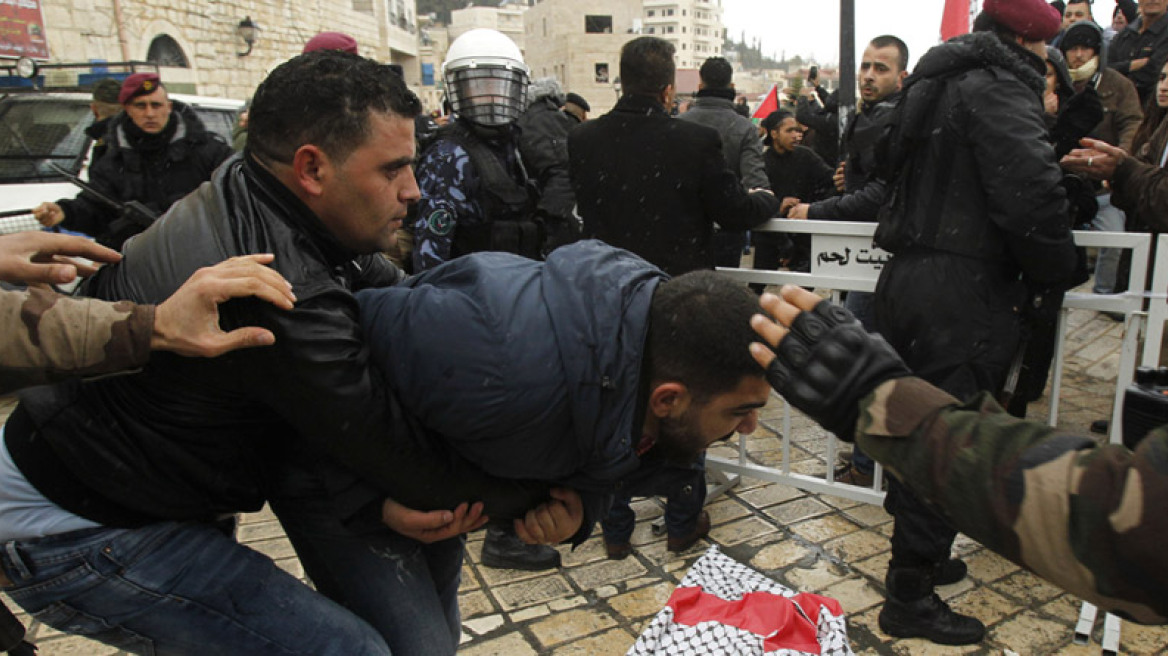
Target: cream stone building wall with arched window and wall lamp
point(198, 46)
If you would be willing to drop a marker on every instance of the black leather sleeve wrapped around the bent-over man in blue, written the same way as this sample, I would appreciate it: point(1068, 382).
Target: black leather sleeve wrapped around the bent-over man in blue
point(328, 390)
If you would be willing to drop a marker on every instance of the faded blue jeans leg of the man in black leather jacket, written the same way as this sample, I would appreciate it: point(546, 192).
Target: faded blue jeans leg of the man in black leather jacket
point(177, 589)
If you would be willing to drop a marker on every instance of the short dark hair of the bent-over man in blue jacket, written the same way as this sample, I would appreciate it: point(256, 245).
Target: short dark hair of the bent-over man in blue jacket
point(700, 333)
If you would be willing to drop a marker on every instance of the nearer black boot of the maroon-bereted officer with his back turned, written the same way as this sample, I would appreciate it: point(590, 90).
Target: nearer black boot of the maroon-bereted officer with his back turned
point(914, 611)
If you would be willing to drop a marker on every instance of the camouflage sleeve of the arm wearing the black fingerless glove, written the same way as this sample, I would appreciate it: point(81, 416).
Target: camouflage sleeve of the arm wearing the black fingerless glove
point(1087, 518)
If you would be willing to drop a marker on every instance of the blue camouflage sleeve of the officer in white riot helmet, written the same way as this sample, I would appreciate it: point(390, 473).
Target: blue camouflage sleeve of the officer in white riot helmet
point(447, 182)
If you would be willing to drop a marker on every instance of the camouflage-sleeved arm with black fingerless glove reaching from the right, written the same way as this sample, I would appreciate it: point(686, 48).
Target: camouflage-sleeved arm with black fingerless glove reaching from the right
point(1086, 518)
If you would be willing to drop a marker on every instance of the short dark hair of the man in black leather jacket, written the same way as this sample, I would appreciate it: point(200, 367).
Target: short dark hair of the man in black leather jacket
point(323, 99)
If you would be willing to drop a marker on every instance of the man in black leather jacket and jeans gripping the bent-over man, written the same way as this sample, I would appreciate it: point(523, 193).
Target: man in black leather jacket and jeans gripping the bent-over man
point(128, 476)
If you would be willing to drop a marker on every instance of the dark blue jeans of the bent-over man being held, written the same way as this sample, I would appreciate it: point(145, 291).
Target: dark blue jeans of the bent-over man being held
point(408, 591)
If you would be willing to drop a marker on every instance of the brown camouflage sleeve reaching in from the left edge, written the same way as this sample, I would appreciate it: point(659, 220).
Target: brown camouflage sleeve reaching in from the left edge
point(48, 337)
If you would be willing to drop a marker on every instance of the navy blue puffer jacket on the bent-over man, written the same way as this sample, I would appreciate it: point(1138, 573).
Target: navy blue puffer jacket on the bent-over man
point(527, 369)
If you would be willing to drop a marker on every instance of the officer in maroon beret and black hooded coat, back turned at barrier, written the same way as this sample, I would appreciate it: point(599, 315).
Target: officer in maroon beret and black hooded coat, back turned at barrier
point(976, 217)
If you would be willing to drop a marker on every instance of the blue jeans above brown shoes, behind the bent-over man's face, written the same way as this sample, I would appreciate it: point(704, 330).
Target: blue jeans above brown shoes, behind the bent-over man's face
point(685, 493)
